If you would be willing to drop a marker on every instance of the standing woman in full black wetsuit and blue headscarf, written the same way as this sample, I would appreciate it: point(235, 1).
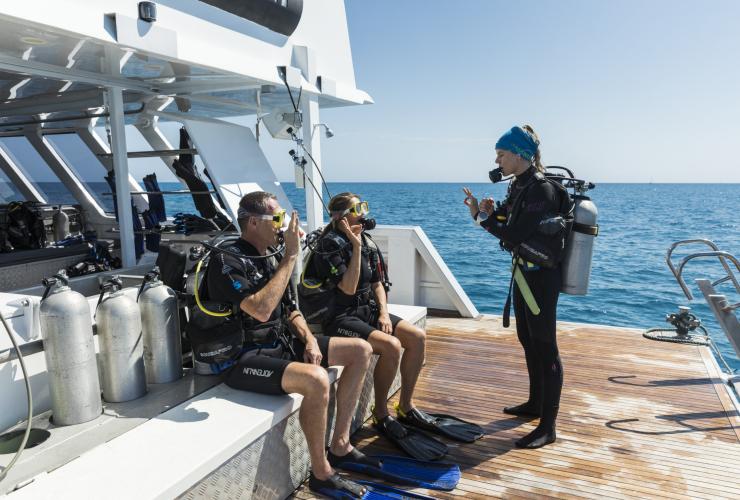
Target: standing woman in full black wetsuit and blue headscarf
point(515, 222)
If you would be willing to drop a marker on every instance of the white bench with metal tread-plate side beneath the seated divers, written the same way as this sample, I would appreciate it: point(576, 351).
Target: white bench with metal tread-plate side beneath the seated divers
point(221, 439)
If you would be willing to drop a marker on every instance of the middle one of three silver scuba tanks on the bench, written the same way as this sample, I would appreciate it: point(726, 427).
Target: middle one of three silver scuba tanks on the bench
point(121, 345)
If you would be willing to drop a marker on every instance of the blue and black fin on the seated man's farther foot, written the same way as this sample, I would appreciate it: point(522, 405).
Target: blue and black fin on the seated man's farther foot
point(400, 470)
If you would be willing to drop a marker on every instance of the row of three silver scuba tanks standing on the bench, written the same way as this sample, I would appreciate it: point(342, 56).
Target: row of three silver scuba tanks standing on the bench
point(139, 344)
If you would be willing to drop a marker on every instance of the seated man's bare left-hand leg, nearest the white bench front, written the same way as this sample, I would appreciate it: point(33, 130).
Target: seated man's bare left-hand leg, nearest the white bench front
point(312, 382)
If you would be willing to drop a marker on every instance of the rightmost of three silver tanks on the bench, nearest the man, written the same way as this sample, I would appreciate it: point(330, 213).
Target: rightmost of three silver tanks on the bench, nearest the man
point(160, 323)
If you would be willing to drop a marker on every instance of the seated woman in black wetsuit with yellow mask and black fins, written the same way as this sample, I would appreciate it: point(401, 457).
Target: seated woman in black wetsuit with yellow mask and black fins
point(345, 256)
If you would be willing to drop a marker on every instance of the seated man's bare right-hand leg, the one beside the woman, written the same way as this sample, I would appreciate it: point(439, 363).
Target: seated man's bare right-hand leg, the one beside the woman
point(354, 355)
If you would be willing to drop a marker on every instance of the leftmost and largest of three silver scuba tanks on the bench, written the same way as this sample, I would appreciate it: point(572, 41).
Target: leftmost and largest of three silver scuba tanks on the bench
point(70, 353)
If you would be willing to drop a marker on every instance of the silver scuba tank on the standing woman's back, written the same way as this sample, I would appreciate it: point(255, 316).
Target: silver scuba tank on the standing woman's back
point(576, 266)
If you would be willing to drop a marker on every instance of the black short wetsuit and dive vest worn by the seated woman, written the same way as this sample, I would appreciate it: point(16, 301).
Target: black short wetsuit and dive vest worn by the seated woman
point(351, 315)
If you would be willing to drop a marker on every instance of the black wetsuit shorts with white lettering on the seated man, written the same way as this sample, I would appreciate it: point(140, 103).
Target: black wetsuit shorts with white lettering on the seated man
point(262, 370)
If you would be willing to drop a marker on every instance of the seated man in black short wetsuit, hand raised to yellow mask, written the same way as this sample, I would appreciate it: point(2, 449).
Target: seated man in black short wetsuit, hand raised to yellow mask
point(280, 355)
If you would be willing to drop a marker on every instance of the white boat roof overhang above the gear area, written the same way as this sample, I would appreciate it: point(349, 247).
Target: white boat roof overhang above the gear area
point(58, 58)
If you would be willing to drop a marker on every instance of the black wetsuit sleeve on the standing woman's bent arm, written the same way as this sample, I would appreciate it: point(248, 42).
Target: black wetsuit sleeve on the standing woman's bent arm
point(540, 200)
